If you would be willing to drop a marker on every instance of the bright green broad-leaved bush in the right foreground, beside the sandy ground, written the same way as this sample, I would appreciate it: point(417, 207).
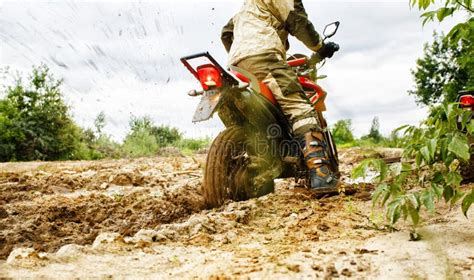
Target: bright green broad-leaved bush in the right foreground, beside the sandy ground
point(437, 147)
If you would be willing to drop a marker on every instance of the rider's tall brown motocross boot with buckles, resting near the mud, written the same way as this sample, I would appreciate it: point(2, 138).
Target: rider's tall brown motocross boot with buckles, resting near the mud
point(314, 148)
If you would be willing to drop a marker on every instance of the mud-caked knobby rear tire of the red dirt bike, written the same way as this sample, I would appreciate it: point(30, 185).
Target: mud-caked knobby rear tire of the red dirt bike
point(226, 176)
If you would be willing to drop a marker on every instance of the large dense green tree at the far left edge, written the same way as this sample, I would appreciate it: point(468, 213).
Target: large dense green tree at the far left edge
point(34, 121)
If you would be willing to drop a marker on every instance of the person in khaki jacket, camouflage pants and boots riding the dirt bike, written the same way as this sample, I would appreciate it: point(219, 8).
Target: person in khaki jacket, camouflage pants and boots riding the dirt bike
point(257, 40)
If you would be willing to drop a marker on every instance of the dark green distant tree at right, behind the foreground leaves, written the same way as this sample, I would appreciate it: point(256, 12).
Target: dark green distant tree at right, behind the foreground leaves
point(439, 75)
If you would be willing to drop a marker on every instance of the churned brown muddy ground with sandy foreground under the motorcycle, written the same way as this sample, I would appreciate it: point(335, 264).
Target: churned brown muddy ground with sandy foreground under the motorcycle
point(146, 218)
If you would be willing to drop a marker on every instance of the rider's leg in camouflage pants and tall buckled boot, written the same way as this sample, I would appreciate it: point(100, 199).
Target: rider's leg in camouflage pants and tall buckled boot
point(288, 92)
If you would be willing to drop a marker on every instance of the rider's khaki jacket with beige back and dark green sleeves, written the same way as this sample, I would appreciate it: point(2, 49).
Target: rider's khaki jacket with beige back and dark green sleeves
point(263, 26)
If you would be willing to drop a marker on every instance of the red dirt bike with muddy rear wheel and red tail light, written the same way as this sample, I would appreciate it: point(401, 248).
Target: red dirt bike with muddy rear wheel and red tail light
point(257, 145)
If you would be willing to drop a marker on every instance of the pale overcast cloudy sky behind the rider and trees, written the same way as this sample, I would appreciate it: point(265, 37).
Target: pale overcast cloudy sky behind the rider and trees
point(123, 57)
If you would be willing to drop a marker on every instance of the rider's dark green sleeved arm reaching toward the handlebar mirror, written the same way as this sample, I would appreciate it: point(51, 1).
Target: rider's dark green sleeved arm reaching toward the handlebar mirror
point(298, 25)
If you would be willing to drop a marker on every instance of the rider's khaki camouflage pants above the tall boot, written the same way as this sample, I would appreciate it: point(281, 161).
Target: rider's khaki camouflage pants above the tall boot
point(283, 82)
